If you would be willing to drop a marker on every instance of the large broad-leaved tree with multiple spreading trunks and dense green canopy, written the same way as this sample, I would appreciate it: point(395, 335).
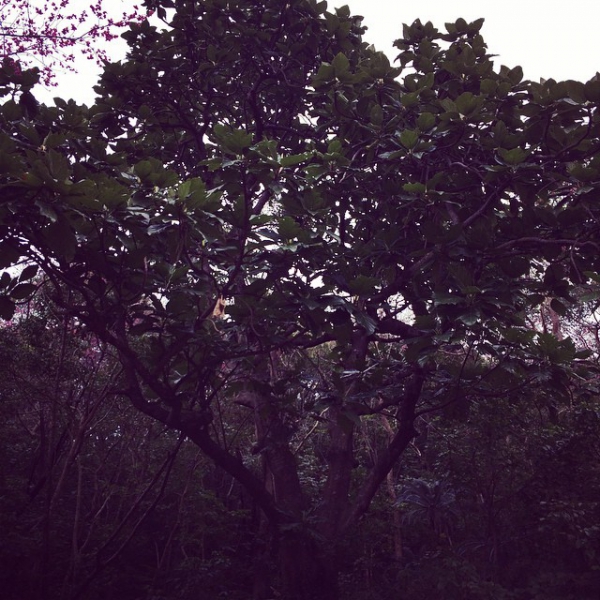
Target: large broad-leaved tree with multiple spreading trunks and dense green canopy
point(268, 221)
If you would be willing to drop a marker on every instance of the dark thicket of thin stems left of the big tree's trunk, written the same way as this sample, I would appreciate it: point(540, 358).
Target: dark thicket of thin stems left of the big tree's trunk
point(97, 499)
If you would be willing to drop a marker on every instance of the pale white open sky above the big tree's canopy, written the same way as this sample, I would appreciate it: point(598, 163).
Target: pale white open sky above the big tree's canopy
point(547, 38)
